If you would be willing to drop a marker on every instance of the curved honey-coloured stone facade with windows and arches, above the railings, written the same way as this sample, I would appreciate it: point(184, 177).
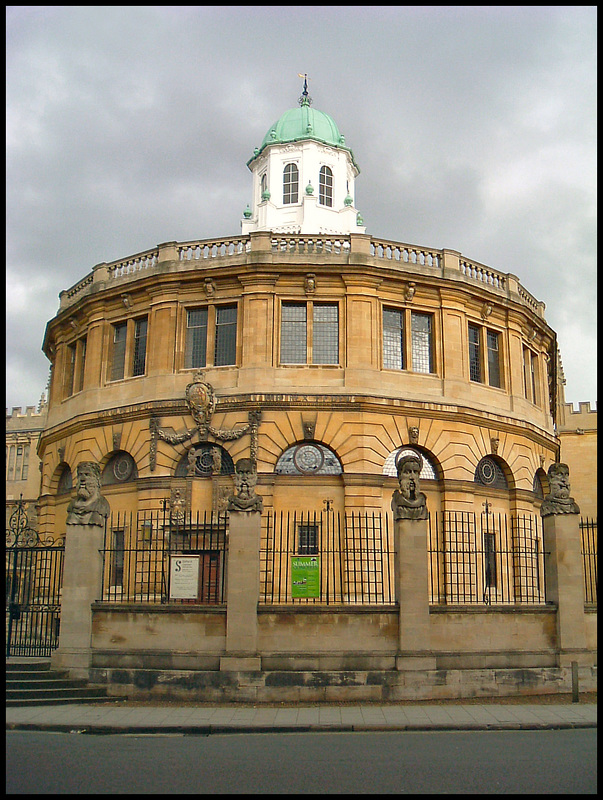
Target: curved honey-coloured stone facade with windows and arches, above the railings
point(351, 344)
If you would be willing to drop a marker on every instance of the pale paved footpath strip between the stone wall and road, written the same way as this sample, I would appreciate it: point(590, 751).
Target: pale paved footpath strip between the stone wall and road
point(203, 719)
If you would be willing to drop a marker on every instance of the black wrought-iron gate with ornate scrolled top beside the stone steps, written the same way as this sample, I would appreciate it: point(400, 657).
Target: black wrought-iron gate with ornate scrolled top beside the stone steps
point(34, 574)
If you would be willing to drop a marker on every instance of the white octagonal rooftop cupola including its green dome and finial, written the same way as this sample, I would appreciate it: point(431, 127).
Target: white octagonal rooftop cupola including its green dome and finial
point(303, 177)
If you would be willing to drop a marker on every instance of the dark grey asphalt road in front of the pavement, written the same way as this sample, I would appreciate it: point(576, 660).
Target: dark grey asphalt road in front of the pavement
point(484, 762)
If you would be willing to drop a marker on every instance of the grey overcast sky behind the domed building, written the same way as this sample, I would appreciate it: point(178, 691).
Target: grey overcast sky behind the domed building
point(474, 129)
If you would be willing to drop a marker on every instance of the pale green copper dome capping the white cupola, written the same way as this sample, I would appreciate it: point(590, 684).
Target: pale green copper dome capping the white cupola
point(304, 122)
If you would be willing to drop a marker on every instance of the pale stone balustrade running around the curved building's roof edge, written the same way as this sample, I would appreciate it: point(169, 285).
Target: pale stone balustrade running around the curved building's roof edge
point(392, 253)
